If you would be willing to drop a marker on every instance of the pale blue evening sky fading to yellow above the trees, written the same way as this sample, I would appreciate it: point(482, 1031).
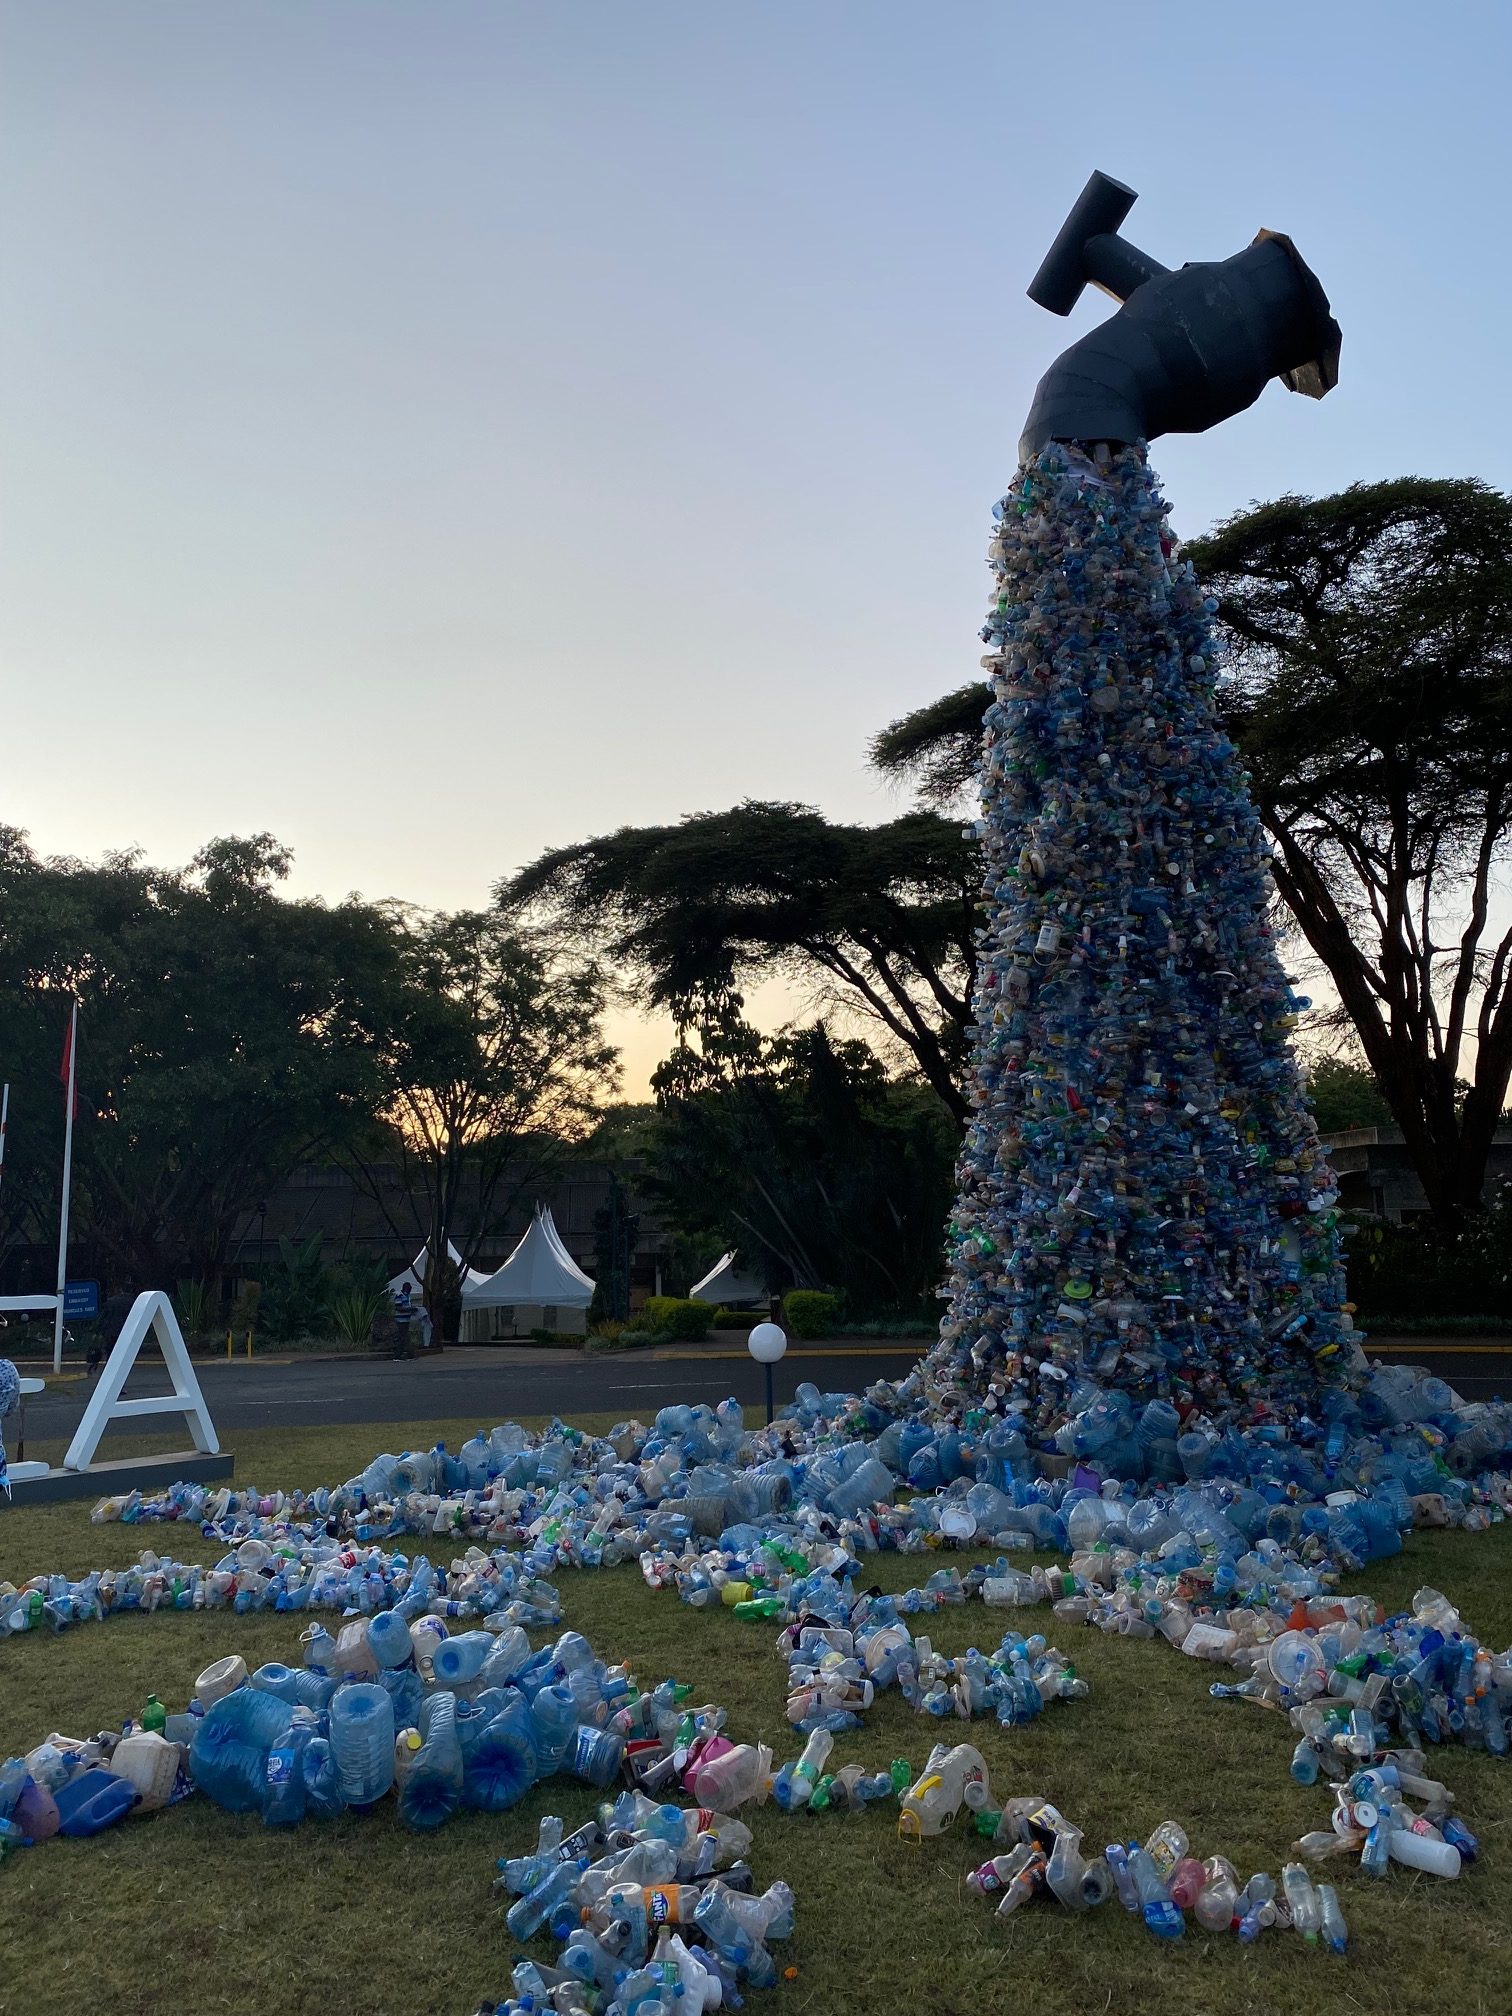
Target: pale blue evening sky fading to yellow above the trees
point(436, 432)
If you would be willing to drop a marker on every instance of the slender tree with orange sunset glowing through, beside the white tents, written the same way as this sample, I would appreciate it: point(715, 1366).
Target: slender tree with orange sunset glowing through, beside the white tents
point(499, 1065)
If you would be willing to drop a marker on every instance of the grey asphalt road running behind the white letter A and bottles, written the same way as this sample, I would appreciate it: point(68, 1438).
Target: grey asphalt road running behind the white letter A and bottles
point(495, 1386)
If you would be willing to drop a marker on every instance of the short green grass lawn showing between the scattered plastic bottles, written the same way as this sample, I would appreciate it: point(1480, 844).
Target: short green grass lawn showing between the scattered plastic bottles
point(197, 1910)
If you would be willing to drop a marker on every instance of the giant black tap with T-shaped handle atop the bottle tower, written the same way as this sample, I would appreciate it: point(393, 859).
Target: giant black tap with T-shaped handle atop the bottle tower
point(1188, 348)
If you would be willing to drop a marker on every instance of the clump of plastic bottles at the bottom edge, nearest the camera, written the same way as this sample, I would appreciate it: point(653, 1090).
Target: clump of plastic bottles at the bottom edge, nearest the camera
point(654, 1908)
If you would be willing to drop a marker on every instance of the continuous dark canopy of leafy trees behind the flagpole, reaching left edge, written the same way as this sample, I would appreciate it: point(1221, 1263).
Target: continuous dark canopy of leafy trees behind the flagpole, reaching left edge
point(231, 1033)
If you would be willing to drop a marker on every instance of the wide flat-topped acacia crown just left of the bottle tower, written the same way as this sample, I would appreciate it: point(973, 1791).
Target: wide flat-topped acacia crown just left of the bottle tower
point(880, 916)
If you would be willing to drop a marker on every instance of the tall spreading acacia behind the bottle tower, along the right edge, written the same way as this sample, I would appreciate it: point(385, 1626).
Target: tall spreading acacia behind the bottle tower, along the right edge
point(1370, 688)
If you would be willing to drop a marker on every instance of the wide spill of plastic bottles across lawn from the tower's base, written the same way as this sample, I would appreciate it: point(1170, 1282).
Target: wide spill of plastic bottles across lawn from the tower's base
point(1227, 1539)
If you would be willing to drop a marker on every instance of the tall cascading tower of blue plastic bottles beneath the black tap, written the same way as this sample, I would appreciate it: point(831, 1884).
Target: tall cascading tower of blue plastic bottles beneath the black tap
point(1142, 1199)
